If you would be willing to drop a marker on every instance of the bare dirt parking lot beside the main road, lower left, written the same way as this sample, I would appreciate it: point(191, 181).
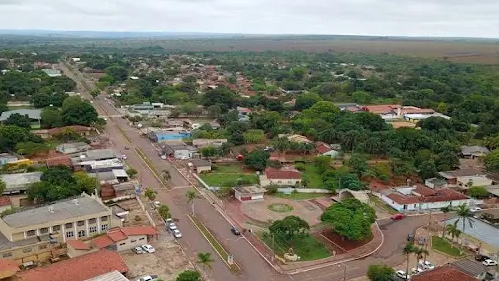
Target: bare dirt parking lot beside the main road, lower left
point(167, 262)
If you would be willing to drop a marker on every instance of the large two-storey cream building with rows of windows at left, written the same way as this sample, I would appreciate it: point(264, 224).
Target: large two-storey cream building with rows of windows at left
point(33, 234)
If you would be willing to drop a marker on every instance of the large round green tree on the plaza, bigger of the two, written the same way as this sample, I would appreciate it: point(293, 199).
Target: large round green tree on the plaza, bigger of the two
point(350, 218)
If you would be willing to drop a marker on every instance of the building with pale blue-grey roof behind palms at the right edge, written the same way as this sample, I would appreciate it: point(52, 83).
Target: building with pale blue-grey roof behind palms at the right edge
point(481, 237)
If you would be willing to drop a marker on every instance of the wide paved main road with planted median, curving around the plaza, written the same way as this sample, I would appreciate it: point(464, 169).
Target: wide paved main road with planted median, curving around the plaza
point(253, 266)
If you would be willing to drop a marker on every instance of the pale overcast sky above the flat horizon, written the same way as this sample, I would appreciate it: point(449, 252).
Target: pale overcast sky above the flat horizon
point(452, 18)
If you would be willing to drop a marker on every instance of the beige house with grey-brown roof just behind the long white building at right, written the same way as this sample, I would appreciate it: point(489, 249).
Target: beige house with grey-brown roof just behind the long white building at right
point(465, 178)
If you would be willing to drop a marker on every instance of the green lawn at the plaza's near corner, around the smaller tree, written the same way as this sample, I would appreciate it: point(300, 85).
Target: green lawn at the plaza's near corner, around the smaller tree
point(307, 248)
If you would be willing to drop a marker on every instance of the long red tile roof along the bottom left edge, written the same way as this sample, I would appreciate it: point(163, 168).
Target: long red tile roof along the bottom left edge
point(78, 269)
